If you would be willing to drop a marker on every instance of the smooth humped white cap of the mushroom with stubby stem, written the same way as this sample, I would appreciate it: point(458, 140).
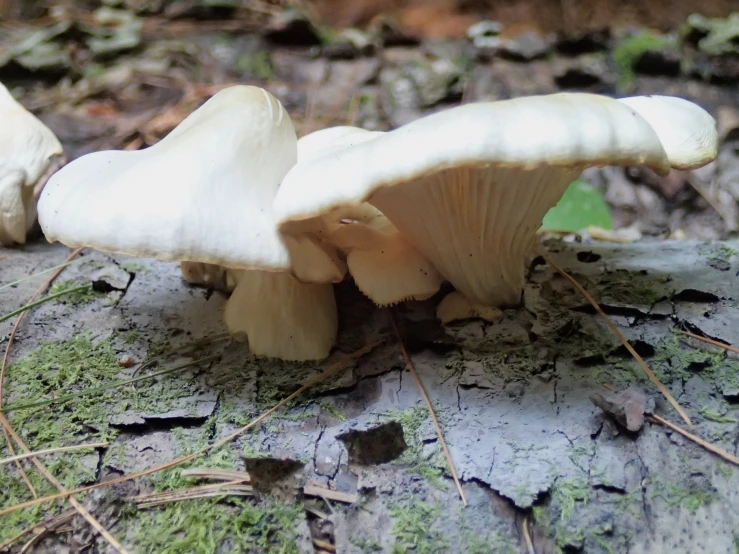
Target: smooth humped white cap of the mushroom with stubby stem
point(204, 193)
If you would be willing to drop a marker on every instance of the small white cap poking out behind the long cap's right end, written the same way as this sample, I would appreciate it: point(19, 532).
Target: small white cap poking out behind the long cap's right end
point(688, 133)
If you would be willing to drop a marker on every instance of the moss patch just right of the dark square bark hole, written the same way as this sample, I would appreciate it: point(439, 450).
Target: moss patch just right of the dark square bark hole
point(416, 422)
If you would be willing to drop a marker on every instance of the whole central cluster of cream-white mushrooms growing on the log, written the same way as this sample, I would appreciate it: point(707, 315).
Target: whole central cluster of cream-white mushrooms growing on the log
point(456, 196)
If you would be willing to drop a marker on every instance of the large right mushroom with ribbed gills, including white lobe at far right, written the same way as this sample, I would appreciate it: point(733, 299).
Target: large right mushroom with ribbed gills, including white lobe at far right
point(468, 187)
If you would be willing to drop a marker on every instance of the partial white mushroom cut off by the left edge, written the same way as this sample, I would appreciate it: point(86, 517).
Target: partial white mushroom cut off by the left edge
point(28, 149)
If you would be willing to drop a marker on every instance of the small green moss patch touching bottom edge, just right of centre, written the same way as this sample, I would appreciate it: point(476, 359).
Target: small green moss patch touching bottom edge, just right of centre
point(412, 526)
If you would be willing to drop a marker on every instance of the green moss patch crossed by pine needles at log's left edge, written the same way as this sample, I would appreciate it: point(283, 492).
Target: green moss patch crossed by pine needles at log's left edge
point(53, 369)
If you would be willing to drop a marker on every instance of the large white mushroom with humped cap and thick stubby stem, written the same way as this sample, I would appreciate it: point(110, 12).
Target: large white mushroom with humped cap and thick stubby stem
point(204, 194)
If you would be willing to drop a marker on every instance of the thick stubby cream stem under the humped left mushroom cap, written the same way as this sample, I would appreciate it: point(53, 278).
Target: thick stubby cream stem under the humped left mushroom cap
point(283, 317)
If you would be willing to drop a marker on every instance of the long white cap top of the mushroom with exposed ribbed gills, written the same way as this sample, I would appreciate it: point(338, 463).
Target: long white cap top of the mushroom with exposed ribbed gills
point(559, 130)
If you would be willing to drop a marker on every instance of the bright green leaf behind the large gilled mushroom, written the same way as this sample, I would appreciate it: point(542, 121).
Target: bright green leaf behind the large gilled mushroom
point(580, 206)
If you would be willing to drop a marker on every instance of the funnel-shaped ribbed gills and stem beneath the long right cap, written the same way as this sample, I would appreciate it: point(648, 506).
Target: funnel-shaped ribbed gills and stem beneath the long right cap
point(477, 225)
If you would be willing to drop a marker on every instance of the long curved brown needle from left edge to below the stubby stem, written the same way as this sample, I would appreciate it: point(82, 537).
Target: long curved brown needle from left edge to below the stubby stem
point(325, 373)
